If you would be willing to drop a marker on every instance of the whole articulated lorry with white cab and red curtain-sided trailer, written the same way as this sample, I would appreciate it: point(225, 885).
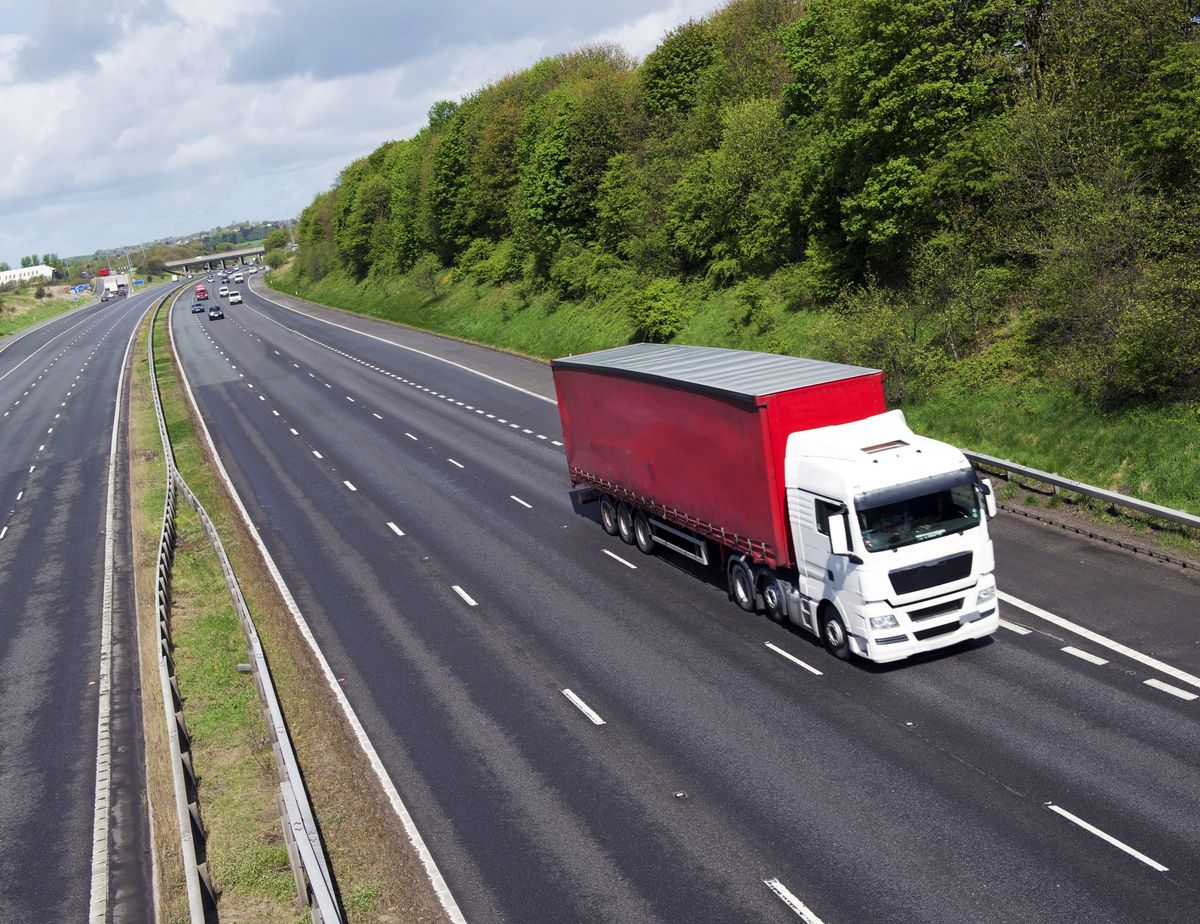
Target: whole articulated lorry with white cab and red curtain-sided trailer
point(824, 508)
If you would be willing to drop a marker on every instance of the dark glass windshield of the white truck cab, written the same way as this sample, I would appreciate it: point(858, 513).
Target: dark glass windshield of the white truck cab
point(908, 514)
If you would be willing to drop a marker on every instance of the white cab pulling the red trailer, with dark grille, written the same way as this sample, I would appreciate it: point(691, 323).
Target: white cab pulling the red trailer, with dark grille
point(892, 544)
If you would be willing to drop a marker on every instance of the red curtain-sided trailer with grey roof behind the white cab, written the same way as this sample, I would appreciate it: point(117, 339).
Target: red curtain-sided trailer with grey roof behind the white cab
point(697, 436)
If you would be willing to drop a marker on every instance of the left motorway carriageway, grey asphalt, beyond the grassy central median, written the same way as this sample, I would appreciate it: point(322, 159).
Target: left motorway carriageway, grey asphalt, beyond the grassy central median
point(64, 574)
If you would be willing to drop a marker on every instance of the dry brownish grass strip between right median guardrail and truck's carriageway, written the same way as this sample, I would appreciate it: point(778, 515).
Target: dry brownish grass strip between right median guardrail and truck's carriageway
point(379, 875)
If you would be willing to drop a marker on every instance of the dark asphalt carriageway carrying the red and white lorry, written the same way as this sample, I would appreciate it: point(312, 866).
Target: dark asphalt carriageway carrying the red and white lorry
point(585, 734)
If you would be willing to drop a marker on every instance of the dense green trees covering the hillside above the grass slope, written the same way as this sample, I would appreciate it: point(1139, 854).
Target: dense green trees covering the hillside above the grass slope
point(986, 190)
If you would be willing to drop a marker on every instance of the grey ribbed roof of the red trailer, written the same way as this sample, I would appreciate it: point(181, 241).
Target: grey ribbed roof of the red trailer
point(735, 374)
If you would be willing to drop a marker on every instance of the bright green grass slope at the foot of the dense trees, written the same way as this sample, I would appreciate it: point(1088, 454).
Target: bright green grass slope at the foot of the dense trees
point(1148, 452)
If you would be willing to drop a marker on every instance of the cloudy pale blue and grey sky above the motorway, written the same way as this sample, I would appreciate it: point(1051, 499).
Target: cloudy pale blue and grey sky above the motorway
point(133, 121)
